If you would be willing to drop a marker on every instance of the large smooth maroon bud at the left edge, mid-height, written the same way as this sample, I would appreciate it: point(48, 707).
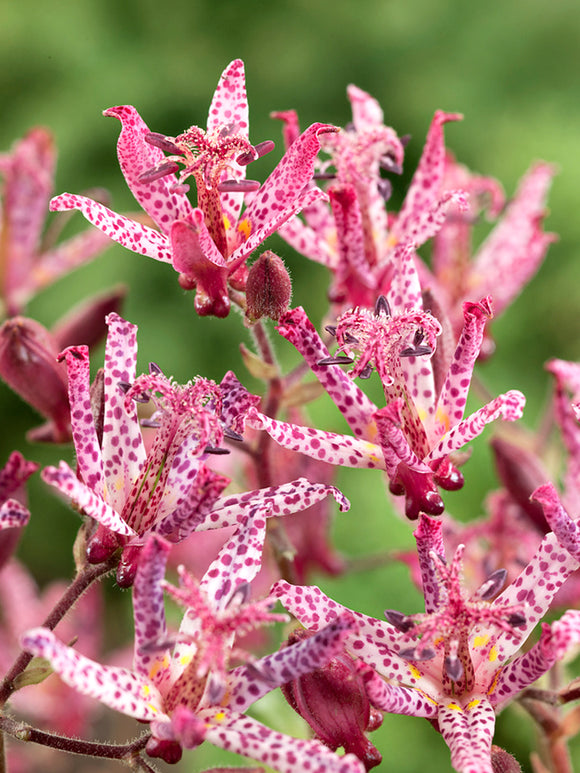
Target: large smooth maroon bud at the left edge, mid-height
point(28, 365)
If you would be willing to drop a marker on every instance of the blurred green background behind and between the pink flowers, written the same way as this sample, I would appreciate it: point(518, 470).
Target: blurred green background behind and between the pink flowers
point(510, 67)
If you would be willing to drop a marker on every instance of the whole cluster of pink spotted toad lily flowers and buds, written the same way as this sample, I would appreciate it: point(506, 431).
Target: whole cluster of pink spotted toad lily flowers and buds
point(158, 464)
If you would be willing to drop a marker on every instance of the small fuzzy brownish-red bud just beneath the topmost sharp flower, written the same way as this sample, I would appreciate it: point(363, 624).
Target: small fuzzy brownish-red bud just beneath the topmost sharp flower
point(268, 288)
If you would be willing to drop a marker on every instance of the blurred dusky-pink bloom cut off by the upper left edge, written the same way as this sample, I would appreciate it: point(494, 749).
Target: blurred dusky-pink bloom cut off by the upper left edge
point(27, 262)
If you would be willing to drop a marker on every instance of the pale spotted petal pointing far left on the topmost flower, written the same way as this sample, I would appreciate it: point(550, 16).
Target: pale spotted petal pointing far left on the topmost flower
point(129, 233)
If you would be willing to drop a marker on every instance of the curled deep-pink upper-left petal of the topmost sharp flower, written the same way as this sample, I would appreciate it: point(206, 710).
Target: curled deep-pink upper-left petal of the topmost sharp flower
point(137, 156)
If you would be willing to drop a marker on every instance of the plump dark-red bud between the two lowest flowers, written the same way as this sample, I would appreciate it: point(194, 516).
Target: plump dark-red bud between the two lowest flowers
point(334, 702)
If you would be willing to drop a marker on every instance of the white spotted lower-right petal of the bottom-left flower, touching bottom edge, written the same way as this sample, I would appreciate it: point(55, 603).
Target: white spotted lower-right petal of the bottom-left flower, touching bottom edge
point(238, 733)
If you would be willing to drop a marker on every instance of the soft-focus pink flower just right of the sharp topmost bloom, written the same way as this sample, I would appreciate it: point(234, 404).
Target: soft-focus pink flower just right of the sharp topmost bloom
point(356, 238)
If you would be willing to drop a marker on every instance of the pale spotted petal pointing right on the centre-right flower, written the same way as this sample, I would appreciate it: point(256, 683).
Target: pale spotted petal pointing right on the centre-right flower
point(508, 407)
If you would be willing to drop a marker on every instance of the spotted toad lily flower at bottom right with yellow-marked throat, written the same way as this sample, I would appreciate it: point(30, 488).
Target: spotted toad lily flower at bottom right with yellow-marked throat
point(458, 663)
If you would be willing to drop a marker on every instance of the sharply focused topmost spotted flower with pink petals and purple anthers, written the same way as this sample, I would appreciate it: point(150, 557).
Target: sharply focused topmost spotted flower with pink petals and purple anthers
point(209, 244)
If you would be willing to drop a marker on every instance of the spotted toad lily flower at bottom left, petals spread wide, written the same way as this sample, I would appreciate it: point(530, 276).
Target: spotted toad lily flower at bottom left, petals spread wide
point(184, 688)
